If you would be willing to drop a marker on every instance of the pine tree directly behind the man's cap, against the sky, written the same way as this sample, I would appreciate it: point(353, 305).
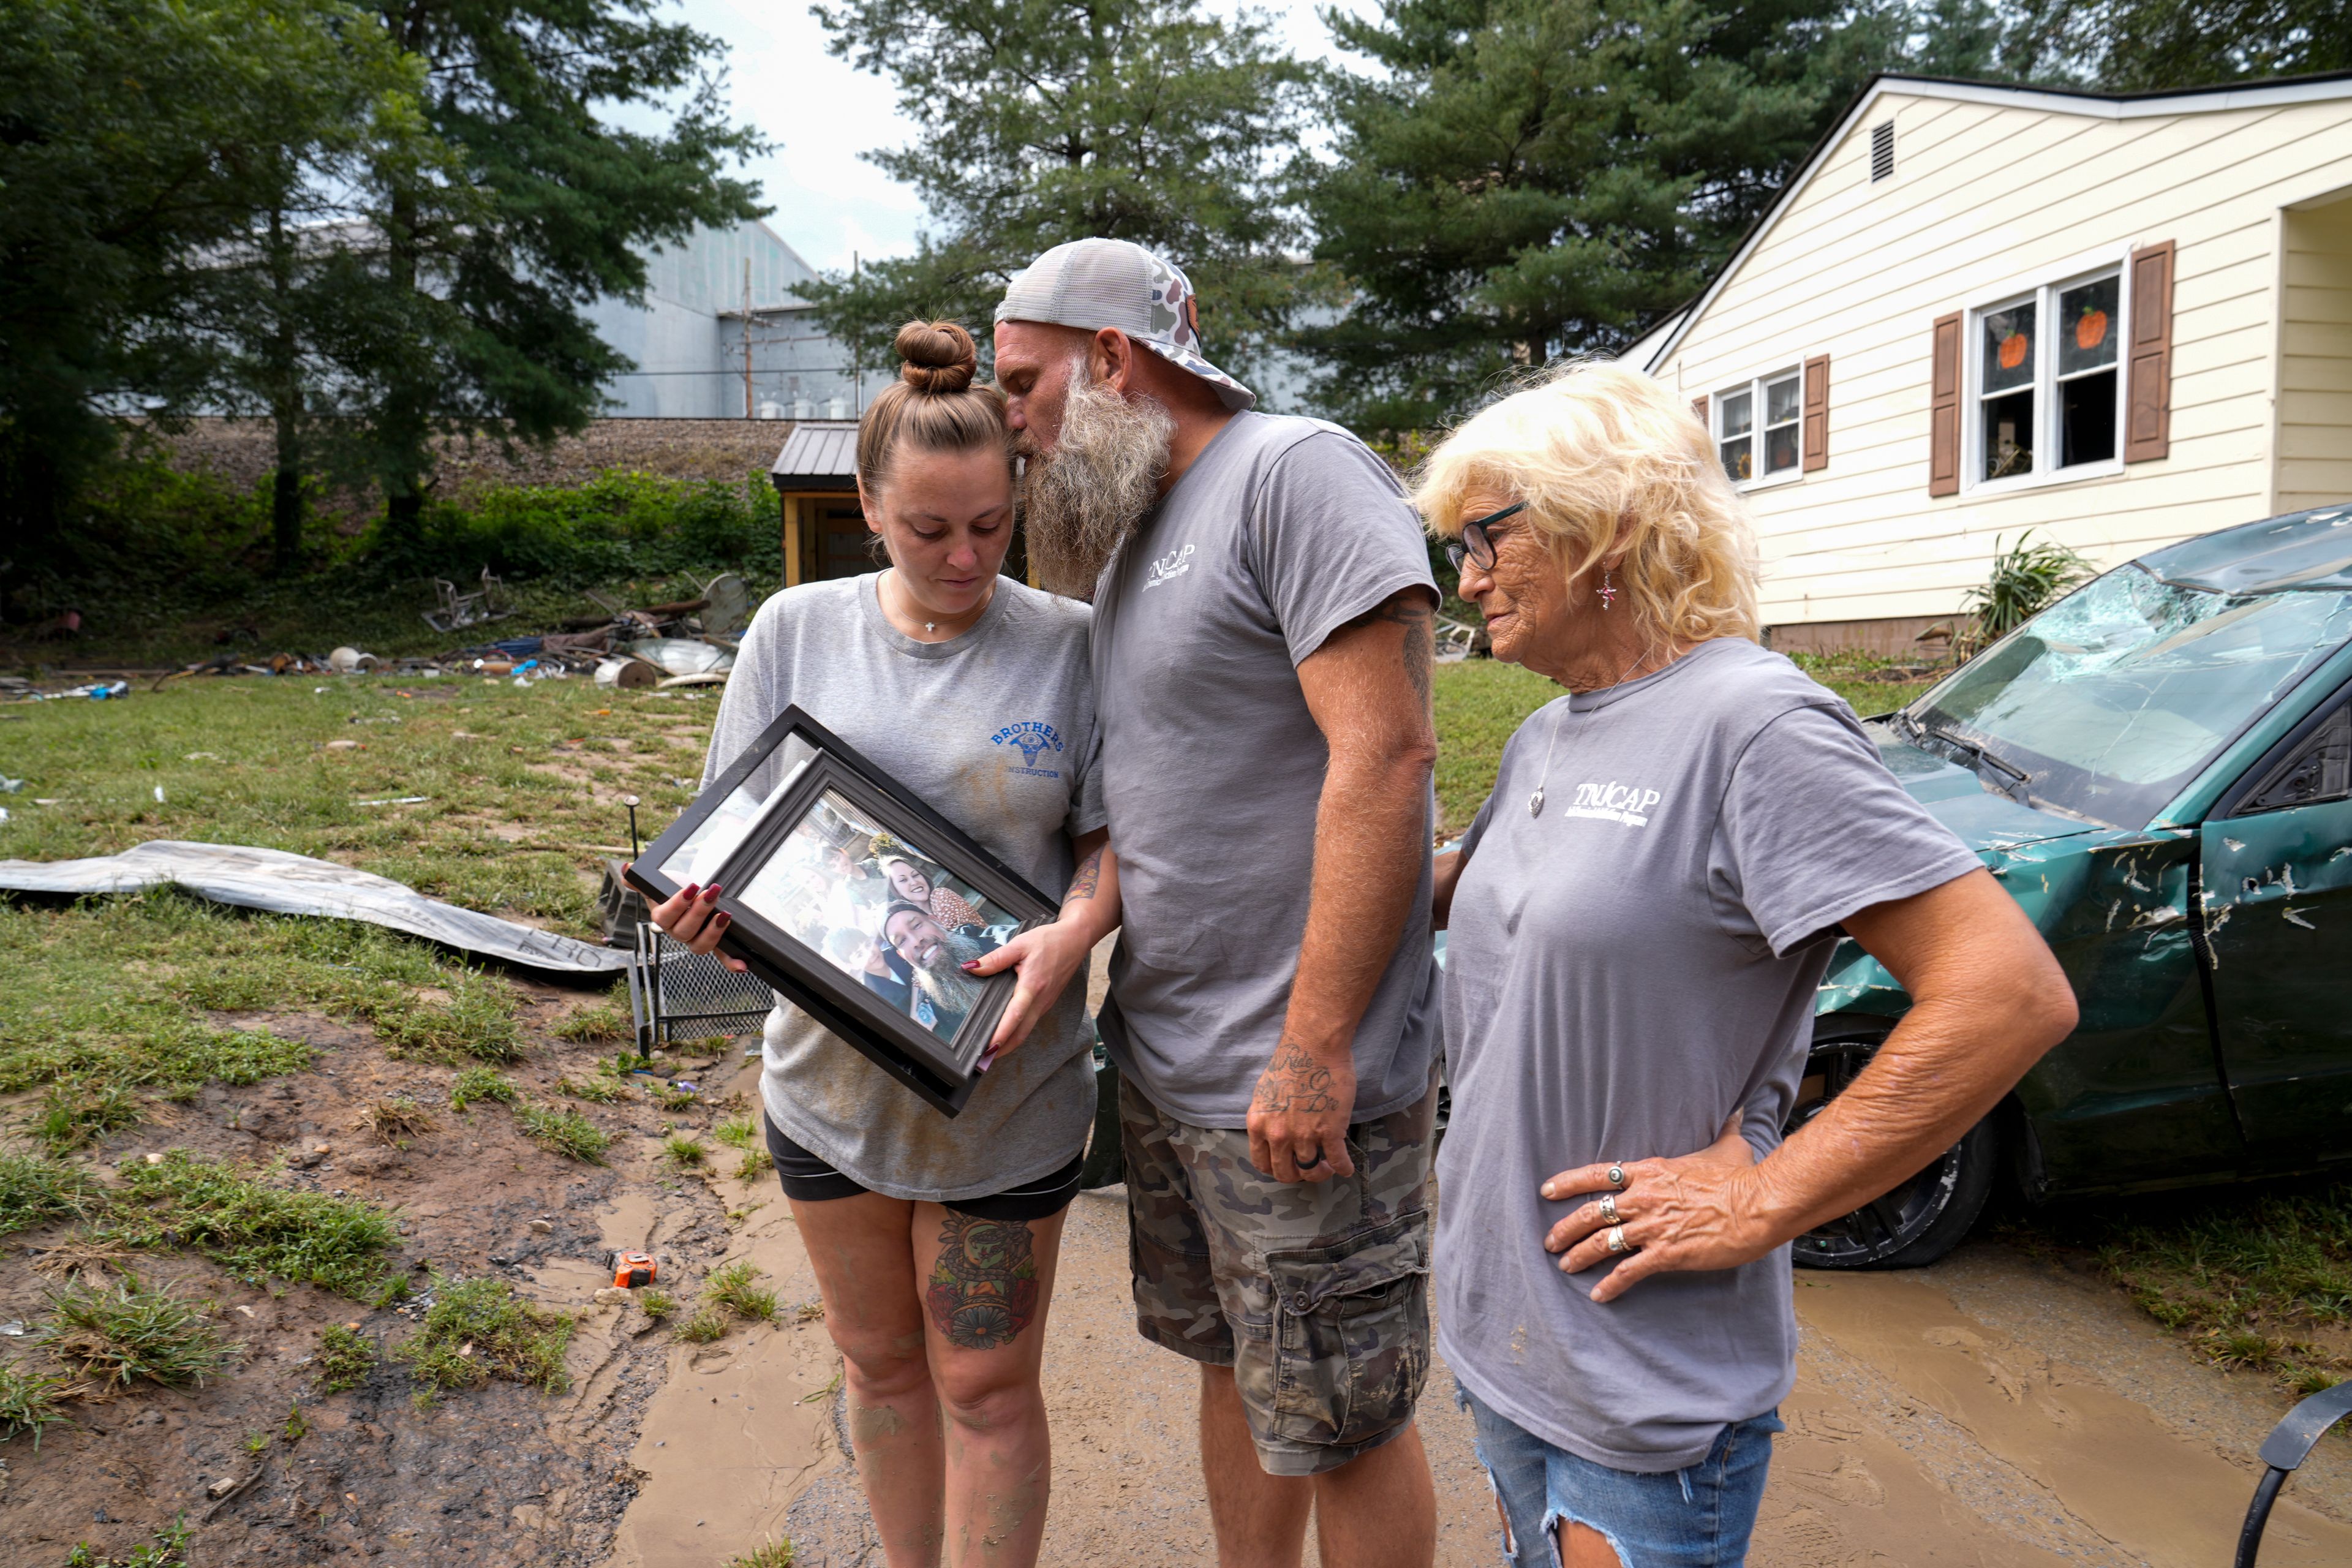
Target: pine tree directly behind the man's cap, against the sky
point(1045, 121)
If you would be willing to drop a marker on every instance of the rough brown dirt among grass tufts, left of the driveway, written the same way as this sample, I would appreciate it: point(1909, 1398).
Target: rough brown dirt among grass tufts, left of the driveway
point(502, 1475)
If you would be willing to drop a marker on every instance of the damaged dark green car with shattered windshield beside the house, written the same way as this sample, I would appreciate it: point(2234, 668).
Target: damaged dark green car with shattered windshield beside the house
point(2160, 770)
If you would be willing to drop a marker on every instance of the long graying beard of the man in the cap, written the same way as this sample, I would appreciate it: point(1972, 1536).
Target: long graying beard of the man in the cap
point(1083, 500)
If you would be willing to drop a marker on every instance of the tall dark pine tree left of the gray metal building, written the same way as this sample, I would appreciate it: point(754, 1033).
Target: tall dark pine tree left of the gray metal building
point(481, 328)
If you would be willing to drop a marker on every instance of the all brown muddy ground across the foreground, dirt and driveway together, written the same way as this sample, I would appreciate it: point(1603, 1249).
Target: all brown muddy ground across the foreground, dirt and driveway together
point(1996, 1409)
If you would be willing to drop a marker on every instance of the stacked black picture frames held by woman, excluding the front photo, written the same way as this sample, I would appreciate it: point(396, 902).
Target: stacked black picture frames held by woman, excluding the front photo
point(733, 833)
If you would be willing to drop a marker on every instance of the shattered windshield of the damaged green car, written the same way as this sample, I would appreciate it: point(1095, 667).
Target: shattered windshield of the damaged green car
point(2111, 702)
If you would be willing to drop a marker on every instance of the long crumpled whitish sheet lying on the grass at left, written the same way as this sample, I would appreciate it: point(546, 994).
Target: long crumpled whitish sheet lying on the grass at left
point(298, 885)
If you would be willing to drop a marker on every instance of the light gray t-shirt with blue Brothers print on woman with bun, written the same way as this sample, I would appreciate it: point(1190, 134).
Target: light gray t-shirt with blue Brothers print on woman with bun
point(996, 732)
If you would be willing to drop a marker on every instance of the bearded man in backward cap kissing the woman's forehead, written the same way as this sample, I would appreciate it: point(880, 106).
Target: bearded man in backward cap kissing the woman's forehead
point(1262, 666)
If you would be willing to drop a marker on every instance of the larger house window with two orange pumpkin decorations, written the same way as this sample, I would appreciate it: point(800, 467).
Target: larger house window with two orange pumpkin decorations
point(2047, 380)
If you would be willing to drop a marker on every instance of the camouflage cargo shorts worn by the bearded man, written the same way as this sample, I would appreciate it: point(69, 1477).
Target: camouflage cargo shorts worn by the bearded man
point(1314, 1294)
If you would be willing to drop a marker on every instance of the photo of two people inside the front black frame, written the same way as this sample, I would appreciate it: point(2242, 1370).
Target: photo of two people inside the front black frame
point(878, 909)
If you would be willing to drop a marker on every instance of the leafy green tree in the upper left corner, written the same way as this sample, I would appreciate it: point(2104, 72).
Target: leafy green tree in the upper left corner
point(138, 142)
